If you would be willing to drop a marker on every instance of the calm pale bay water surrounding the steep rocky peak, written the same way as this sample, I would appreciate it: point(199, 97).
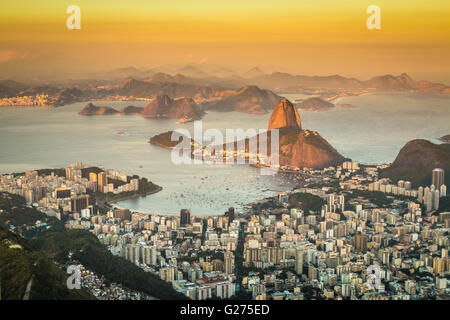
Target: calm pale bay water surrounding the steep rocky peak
point(54, 138)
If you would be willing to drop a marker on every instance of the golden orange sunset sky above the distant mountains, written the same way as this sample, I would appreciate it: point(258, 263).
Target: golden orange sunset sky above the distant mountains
point(312, 37)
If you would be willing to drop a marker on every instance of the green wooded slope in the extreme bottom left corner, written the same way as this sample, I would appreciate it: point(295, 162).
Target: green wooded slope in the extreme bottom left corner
point(19, 263)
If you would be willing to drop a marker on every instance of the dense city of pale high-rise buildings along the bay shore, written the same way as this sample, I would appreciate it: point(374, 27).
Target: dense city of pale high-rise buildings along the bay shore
point(343, 234)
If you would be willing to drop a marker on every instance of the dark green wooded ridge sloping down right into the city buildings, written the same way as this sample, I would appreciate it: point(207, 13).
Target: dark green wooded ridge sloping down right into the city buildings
point(93, 255)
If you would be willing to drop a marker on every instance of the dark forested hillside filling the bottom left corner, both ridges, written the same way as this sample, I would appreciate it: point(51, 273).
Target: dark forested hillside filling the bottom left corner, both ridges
point(47, 241)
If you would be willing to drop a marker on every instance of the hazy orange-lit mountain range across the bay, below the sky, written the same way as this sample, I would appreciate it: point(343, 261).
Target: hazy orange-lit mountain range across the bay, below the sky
point(224, 90)
